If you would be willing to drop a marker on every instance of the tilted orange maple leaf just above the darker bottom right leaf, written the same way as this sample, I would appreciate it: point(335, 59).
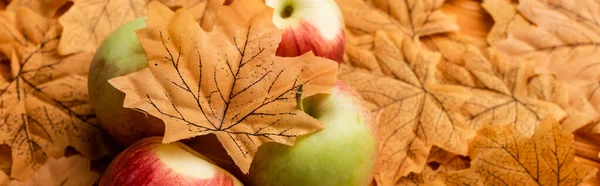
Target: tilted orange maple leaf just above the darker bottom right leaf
point(500, 88)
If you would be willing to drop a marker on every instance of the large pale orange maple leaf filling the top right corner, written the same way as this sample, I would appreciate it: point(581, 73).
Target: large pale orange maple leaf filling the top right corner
point(566, 35)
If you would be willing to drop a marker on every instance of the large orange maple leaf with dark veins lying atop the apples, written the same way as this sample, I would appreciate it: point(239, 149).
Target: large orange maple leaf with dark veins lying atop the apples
point(227, 82)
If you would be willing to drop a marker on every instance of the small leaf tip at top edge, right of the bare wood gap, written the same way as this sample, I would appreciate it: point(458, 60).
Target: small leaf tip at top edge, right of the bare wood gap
point(506, 18)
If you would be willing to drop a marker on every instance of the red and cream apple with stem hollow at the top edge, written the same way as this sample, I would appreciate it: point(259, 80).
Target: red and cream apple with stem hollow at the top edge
point(307, 25)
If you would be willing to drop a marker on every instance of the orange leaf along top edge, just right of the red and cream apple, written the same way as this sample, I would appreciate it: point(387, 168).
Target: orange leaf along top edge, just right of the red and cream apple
point(413, 18)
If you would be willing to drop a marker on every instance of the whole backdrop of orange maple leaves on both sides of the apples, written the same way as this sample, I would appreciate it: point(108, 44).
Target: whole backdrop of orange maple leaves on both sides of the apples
point(472, 87)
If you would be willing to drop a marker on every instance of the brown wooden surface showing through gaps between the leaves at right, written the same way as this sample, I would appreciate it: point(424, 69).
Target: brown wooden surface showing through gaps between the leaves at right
point(475, 22)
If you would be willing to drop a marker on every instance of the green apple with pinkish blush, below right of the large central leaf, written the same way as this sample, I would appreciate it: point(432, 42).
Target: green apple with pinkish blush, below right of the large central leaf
point(343, 153)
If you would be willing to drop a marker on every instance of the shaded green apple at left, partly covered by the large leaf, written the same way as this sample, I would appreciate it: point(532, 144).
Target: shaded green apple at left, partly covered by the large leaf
point(121, 53)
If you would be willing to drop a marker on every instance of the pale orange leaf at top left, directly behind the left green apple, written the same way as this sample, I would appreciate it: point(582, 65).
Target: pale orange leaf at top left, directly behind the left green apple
point(88, 22)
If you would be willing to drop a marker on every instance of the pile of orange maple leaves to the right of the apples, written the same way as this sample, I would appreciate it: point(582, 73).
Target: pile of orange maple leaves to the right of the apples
point(461, 111)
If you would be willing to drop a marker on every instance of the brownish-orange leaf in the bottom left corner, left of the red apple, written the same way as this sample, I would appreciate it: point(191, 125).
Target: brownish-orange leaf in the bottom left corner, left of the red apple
point(73, 170)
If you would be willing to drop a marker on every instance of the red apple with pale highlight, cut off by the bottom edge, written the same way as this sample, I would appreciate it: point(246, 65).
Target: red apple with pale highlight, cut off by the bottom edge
point(149, 162)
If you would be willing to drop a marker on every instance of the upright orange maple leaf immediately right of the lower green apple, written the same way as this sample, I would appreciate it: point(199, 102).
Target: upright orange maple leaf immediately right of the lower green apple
point(416, 112)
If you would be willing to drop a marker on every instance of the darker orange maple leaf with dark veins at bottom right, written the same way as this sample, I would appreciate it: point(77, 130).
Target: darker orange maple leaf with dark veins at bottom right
point(501, 155)
